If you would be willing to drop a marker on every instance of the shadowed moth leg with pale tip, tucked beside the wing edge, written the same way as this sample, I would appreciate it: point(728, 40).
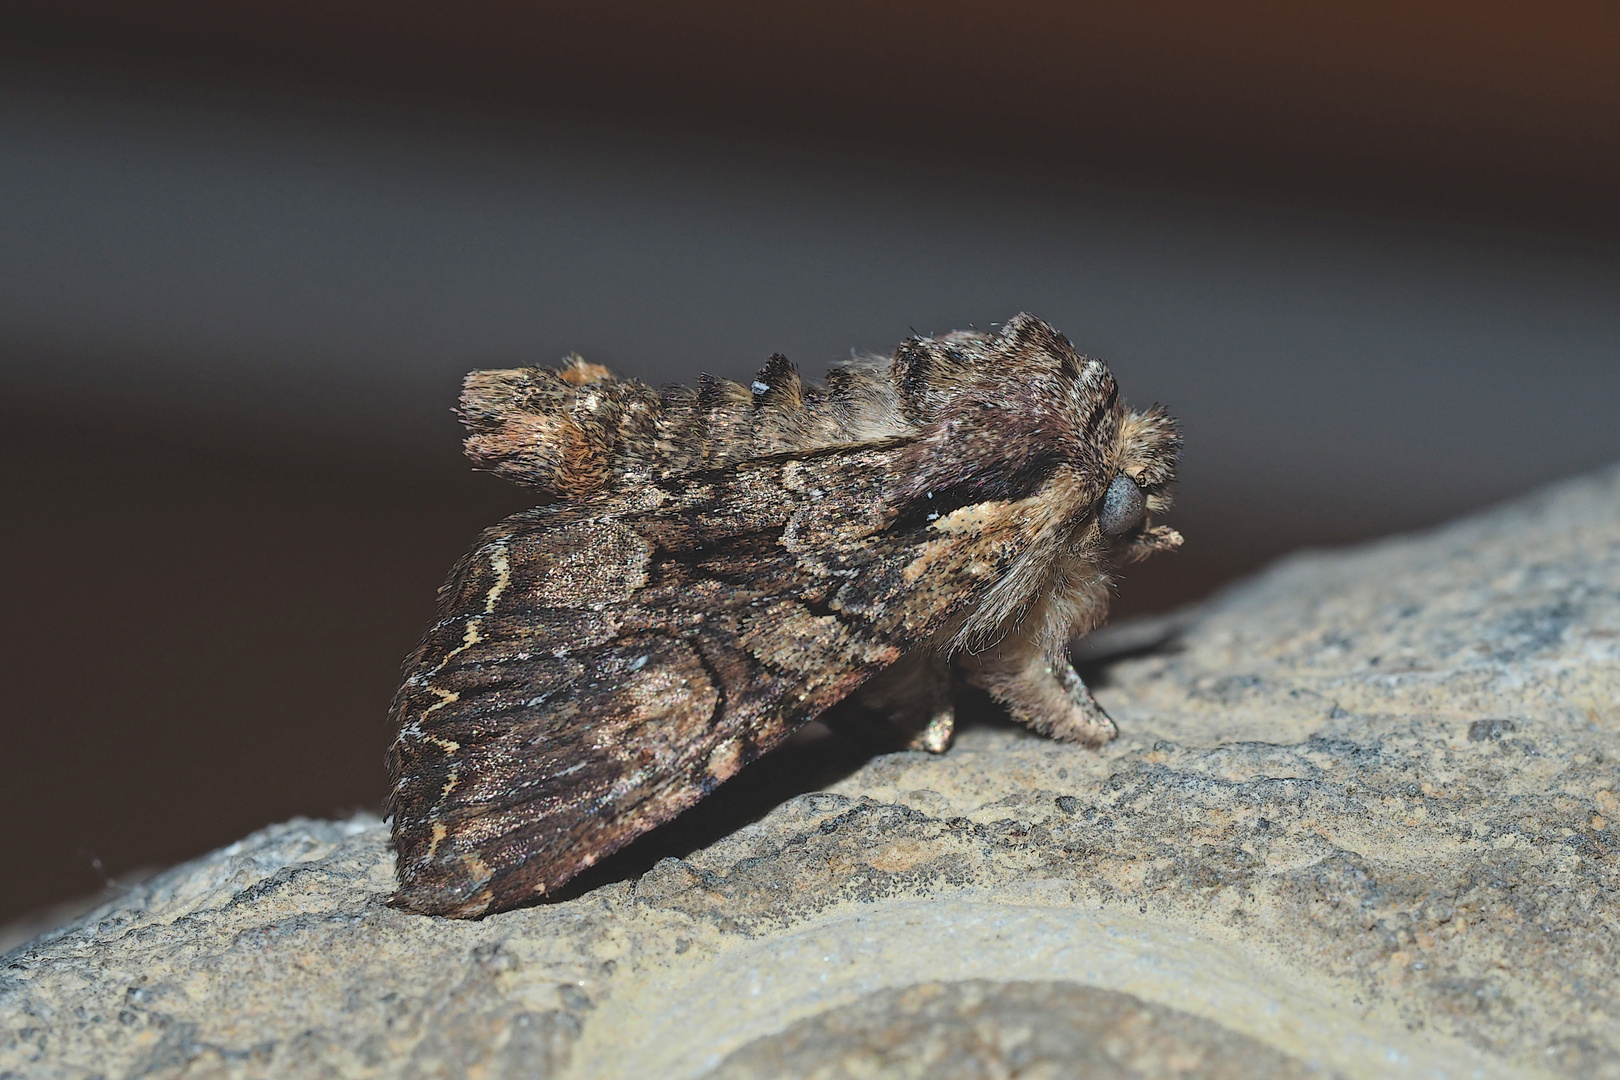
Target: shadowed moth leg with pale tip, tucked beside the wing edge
point(908, 705)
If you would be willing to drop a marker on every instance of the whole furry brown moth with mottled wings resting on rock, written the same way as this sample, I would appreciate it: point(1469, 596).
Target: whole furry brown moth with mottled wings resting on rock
point(717, 568)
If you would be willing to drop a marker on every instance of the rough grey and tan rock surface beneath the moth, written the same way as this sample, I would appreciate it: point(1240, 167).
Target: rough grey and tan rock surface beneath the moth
point(1362, 822)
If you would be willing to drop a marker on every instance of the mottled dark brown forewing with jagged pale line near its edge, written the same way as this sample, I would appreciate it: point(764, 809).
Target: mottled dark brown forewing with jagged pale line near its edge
point(603, 665)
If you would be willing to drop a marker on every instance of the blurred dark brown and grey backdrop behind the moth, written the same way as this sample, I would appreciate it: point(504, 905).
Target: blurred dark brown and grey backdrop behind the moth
point(1366, 252)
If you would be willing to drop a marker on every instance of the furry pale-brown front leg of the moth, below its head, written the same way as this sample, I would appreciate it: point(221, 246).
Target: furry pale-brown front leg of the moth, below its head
point(1041, 689)
